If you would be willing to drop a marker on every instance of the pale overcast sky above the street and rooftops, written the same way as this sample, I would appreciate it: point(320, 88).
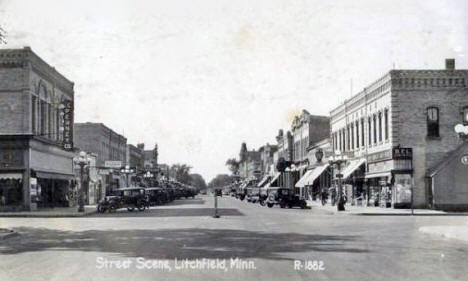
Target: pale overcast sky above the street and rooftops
point(199, 77)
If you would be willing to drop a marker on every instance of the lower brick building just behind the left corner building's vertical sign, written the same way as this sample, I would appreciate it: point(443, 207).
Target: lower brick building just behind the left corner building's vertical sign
point(107, 145)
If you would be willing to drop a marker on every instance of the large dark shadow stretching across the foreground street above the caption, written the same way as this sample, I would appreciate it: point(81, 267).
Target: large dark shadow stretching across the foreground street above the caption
point(178, 243)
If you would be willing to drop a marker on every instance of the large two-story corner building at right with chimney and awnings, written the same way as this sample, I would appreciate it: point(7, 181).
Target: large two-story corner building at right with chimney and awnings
point(397, 130)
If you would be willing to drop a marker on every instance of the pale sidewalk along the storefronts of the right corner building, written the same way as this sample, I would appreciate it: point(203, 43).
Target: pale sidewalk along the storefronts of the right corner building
point(377, 211)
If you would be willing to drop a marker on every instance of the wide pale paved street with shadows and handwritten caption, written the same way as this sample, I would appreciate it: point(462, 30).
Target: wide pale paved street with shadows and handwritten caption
point(265, 244)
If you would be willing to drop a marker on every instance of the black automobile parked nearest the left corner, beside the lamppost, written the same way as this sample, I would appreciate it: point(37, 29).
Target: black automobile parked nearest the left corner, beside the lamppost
point(128, 197)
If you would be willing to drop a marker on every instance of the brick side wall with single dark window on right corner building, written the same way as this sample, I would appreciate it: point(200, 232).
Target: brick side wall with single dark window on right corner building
point(409, 119)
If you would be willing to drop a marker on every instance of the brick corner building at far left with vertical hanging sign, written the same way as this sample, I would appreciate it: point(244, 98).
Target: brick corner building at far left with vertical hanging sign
point(35, 162)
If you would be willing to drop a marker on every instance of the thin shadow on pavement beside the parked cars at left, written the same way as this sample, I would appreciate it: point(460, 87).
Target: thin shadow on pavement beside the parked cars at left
point(176, 212)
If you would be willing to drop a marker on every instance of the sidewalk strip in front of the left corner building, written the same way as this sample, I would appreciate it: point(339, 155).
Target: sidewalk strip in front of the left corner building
point(52, 212)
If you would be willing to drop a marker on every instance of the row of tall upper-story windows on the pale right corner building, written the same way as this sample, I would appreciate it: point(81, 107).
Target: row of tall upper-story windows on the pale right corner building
point(374, 129)
